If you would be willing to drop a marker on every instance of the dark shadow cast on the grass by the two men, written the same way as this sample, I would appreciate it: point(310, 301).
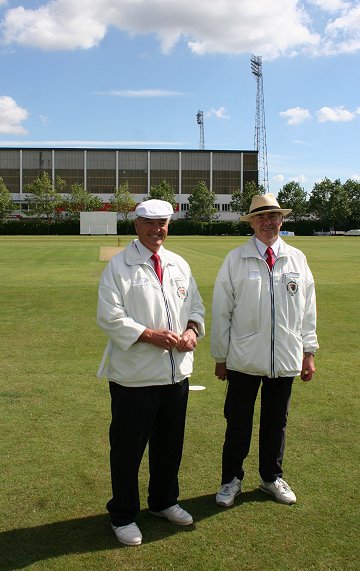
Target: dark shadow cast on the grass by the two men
point(22, 547)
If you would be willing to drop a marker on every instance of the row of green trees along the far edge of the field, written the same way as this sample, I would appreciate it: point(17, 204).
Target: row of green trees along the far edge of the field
point(335, 204)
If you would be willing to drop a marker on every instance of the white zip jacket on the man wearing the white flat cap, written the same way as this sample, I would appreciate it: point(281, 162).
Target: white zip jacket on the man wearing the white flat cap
point(132, 299)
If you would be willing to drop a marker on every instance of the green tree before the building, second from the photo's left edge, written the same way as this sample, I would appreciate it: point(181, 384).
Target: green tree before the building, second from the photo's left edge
point(44, 197)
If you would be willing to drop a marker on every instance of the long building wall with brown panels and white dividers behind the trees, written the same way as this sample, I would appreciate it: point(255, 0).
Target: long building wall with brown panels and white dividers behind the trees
point(103, 170)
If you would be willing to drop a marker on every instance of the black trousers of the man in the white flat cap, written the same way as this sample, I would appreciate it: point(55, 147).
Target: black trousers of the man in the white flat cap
point(141, 415)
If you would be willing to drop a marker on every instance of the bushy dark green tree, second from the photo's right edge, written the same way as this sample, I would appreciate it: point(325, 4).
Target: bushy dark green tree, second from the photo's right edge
point(329, 201)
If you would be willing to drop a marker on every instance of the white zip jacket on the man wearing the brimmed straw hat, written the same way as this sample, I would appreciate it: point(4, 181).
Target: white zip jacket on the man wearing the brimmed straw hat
point(262, 322)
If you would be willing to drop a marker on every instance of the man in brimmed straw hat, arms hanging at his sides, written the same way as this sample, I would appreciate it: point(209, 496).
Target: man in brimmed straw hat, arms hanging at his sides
point(263, 334)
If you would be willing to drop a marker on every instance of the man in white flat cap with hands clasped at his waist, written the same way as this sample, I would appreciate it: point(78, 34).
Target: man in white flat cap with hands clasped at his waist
point(150, 308)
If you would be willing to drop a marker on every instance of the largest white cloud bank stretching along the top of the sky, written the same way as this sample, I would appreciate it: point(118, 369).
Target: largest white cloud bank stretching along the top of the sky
point(230, 26)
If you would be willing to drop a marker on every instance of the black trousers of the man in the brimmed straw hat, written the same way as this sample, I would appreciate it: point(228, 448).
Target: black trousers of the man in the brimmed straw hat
point(239, 411)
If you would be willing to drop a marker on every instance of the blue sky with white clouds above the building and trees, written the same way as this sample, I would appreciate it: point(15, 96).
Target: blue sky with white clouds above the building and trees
point(134, 74)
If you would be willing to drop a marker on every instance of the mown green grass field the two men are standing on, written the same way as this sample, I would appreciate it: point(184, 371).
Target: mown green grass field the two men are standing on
point(55, 415)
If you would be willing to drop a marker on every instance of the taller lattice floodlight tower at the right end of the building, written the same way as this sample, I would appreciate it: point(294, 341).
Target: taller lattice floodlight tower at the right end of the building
point(260, 131)
